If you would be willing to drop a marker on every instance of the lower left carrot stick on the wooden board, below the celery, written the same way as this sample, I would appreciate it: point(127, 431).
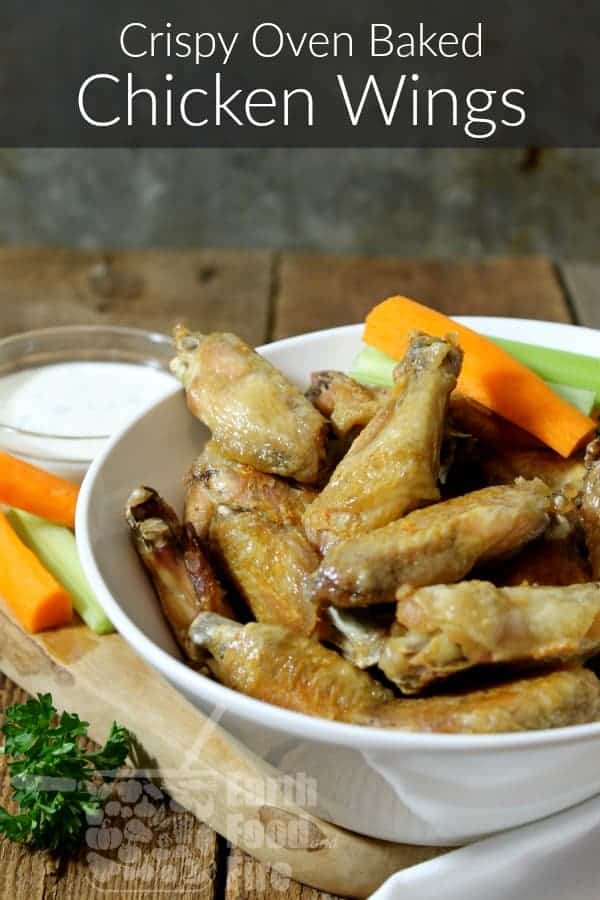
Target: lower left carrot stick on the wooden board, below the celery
point(36, 598)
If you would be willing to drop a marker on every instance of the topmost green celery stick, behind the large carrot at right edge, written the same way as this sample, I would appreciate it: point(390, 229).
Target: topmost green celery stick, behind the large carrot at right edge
point(558, 366)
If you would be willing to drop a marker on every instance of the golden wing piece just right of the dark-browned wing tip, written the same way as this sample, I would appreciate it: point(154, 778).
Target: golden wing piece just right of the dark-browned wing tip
point(268, 562)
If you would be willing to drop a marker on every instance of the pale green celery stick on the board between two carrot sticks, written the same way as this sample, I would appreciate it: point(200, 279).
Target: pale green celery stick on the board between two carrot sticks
point(56, 548)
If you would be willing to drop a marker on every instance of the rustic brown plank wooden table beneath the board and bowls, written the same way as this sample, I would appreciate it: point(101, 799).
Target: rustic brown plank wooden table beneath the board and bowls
point(262, 296)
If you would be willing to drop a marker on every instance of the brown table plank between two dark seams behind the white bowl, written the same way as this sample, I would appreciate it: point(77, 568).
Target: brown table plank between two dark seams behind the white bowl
point(321, 292)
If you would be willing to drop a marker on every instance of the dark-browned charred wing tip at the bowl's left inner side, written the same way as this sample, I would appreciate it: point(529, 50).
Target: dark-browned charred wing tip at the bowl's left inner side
point(173, 557)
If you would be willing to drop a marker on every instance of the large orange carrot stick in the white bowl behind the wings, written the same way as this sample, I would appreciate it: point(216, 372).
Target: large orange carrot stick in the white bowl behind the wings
point(489, 374)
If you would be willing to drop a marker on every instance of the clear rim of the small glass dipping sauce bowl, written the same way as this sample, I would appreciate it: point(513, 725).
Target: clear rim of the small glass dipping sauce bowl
point(153, 338)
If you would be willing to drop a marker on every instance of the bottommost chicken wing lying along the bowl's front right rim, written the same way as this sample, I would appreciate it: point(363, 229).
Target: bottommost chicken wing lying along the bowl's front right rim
point(560, 698)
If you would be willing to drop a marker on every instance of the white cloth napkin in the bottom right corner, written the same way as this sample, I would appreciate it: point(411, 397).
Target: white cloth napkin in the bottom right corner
point(557, 858)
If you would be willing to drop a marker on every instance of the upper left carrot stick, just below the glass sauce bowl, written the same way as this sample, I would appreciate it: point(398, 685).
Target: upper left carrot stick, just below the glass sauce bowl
point(36, 491)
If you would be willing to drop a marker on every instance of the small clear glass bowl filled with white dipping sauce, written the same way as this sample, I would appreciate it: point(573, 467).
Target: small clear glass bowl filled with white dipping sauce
point(70, 452)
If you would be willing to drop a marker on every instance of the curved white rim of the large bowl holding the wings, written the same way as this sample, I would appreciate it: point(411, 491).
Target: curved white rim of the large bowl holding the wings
point(362, 737)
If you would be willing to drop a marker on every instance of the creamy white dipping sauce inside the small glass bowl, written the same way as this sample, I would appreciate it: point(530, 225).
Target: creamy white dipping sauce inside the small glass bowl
point(83, 399)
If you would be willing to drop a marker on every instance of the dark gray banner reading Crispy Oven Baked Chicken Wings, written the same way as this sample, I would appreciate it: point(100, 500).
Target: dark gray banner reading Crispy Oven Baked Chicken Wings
point(307, 74)
